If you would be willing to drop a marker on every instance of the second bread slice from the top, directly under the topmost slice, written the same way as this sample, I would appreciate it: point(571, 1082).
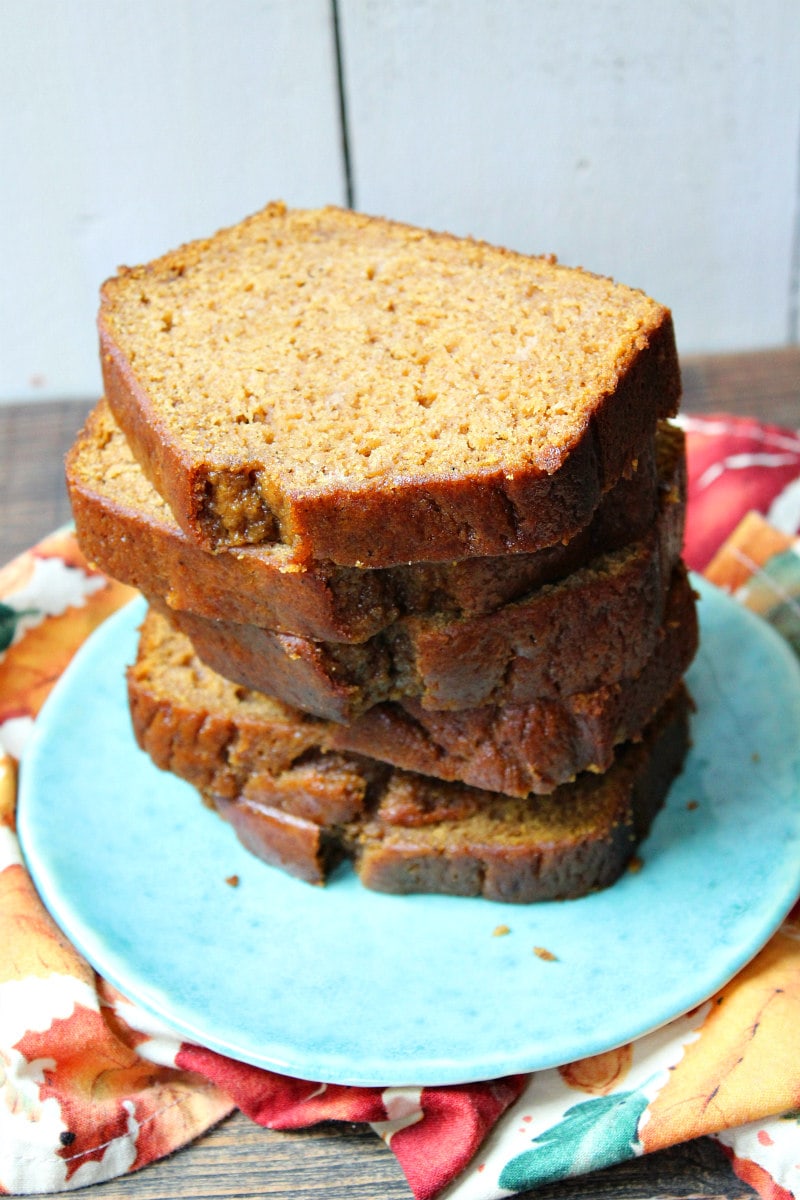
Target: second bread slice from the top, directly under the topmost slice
point(128, 530)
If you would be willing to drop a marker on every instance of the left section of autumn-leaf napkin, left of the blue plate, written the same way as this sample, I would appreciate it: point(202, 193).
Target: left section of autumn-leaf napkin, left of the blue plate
point(81, 1101)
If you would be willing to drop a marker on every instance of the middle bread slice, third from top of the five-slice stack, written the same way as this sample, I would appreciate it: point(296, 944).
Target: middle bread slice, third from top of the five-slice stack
point(532, 650)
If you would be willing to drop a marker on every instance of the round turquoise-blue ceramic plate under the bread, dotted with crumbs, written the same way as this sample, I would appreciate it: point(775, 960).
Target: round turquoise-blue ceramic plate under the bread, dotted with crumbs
point(341, 985)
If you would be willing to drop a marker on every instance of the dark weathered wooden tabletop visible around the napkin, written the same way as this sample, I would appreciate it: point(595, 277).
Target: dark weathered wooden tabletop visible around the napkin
point(238, 1159)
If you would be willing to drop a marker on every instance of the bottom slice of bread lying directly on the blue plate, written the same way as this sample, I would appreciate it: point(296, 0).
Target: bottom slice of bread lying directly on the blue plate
point(418, 836)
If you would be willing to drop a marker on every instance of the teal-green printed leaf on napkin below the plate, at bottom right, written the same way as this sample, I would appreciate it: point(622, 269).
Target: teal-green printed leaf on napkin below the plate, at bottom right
point(593, 1135)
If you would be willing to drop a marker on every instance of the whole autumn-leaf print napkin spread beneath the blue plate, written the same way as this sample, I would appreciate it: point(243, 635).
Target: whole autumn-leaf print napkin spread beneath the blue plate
point(93, 1088)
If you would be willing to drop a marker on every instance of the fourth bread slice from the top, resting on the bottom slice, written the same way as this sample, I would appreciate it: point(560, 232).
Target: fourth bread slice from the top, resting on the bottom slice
point(515, 749)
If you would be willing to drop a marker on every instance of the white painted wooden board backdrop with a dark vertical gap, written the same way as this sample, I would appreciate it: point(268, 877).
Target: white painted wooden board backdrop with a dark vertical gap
point(655, 143)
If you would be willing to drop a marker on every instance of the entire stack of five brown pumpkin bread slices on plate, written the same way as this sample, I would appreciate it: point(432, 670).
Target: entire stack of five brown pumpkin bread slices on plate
point(408, 514)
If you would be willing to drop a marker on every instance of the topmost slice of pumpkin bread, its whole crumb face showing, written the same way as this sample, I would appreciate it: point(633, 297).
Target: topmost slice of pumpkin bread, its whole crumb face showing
point(370, 393)
